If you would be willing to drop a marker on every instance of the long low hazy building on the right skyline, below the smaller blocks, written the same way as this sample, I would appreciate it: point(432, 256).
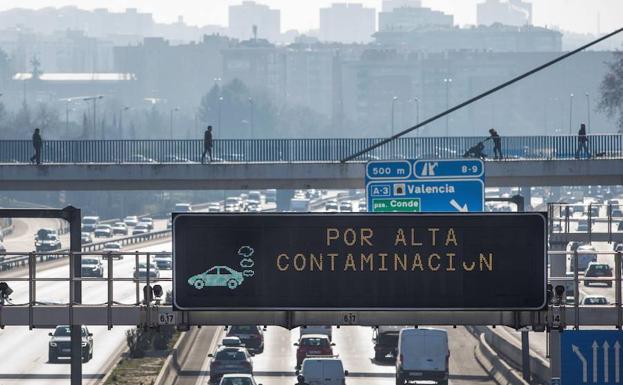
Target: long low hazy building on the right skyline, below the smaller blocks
point(496, 38)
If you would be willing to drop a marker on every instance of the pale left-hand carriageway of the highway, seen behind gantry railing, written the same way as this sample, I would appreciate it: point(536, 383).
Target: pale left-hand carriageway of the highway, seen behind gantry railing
point(26, 351)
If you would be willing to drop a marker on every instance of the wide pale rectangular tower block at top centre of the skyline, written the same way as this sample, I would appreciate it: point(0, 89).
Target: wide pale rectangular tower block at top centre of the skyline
point(347, 23)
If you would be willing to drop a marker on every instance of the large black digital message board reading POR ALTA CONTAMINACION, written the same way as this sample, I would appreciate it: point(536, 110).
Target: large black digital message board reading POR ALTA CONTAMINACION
point(359, 261)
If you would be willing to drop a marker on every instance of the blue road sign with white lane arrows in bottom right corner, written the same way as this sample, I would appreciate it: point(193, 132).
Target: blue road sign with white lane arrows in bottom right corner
point(591, 357)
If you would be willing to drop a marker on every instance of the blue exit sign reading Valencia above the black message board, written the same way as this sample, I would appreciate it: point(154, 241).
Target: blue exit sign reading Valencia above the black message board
point(448, 185)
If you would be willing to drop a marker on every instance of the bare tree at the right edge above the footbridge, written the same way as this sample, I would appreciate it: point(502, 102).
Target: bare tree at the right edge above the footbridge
point(612, 90)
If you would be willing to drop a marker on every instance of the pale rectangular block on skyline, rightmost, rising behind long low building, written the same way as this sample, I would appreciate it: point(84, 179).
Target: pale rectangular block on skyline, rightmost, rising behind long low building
point(511, 12)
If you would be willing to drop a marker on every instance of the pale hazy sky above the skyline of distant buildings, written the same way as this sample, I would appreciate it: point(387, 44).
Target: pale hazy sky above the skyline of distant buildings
point(574, 15)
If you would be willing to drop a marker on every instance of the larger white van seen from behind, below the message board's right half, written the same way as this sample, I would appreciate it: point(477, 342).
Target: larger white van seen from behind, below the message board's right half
point(423, 355)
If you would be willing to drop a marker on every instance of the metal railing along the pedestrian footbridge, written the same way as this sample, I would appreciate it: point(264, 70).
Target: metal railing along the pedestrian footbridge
point(302, 150)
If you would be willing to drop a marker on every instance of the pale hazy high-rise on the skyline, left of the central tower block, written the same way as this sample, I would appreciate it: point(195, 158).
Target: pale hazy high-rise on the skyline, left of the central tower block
point(250, 20)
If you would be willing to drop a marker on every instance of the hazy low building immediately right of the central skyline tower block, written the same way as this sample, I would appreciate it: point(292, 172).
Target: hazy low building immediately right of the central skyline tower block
point(411, 18)
